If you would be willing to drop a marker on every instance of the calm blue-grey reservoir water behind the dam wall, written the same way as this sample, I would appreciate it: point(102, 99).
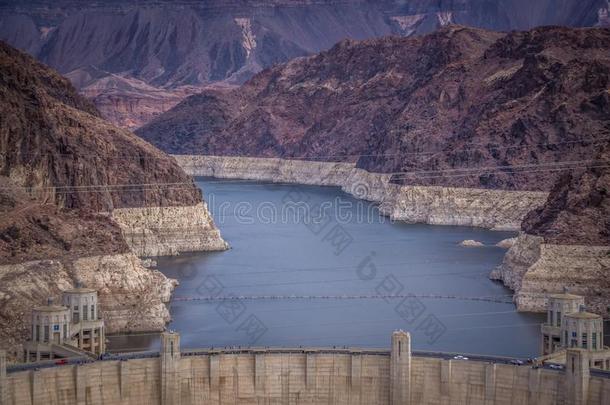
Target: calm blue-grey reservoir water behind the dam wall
point(312, 266)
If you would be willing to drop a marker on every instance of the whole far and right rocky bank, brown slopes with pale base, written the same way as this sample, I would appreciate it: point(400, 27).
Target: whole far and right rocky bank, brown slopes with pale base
point(452, 118)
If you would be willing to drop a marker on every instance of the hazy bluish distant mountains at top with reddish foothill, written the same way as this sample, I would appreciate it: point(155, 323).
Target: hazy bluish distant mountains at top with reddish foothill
point(173, 44)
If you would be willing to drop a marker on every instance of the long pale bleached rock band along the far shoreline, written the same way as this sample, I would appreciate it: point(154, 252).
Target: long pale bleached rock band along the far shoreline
point(492, 209)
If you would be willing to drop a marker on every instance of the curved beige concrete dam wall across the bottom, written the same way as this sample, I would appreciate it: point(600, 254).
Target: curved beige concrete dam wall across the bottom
point(303, 376)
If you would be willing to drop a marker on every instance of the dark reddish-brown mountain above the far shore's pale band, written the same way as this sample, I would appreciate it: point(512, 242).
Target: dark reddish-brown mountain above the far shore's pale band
point(461, 107)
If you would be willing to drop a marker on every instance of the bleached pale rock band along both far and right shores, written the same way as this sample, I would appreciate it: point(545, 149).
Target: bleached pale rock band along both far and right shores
point(532, 267)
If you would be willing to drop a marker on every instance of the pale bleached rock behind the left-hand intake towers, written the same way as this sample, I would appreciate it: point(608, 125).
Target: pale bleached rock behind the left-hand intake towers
point(132, 297)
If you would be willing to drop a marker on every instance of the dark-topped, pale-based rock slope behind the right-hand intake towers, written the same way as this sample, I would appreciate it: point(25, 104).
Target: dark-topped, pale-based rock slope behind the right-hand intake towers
point(565, 243)
